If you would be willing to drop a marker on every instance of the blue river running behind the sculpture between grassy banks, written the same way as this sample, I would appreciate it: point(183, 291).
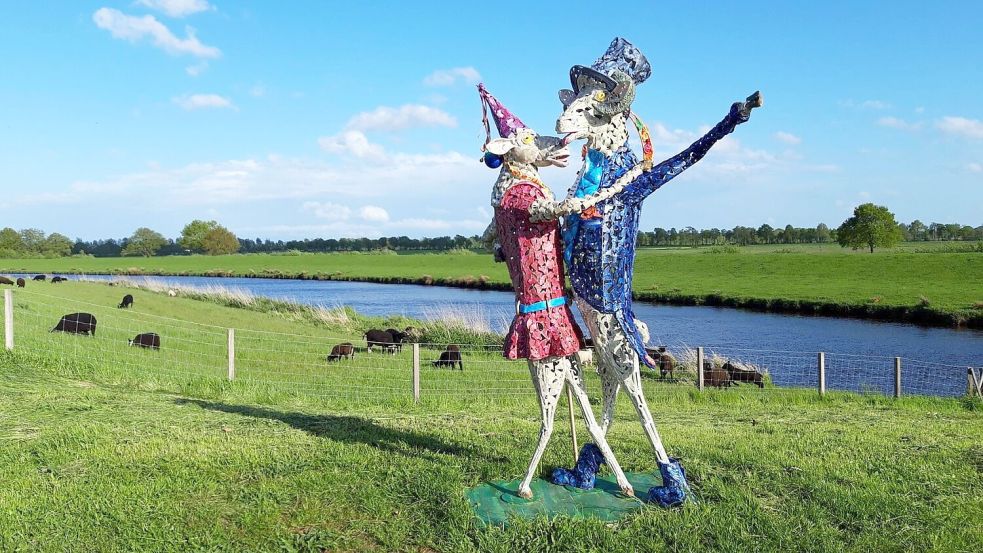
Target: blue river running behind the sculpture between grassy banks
point(859, 352)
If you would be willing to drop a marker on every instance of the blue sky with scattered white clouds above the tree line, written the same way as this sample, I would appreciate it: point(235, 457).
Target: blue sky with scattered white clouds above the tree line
point(318, 119)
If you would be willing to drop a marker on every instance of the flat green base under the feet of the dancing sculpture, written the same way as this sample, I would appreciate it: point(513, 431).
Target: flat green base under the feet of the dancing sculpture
point(495, 502)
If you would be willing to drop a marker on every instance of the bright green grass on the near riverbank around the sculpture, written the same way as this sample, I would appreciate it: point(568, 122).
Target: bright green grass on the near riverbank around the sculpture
point(103, 451)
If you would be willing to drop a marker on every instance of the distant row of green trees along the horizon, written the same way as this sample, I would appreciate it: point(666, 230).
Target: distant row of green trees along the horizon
point(870, 226)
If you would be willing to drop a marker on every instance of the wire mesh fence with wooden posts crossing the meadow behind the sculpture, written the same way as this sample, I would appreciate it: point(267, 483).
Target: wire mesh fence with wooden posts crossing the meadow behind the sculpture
point(303, 364)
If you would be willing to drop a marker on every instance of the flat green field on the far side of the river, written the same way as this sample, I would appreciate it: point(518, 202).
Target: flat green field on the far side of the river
point(928, 283)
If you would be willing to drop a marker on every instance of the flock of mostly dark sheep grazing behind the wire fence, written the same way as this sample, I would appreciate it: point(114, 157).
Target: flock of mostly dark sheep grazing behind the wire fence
point(391, 341)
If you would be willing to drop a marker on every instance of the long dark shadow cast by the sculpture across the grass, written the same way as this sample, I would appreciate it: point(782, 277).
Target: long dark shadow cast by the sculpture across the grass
point(347, 429)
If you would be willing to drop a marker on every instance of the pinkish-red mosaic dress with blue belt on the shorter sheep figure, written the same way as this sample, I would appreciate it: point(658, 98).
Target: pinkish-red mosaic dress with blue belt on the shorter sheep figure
point(533, 253)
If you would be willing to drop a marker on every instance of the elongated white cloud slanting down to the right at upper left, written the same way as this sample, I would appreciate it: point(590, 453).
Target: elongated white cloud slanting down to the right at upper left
point(135, 29)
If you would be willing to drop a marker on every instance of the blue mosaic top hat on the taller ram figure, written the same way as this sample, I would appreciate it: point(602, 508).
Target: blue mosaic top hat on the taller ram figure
point(617, 71)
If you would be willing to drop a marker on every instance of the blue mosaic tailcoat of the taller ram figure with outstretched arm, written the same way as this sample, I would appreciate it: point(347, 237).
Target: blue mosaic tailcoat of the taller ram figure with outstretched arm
point(600, 248)
